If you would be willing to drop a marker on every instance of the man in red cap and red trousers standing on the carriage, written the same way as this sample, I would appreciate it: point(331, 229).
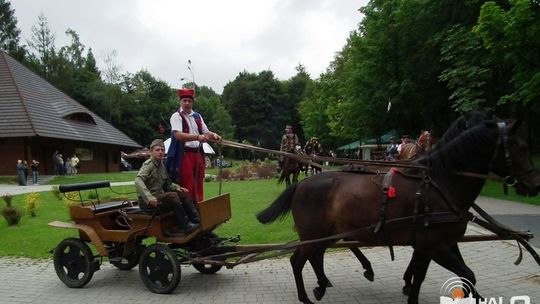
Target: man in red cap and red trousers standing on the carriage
point(185, 161)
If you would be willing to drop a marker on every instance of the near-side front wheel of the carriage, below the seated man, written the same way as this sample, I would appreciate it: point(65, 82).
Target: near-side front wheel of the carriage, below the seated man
point(159, 269)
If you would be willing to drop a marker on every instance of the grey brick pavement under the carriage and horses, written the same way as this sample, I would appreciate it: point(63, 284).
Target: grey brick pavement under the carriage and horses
point(271, 281)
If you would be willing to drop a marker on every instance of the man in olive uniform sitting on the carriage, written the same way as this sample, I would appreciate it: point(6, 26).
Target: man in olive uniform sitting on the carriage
point(153, 184)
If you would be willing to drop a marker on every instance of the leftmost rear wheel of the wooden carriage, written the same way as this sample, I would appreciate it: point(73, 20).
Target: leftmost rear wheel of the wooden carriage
point(73, 262)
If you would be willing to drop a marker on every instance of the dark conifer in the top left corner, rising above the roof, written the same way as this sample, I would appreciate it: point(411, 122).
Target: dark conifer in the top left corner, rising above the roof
point(9, 33)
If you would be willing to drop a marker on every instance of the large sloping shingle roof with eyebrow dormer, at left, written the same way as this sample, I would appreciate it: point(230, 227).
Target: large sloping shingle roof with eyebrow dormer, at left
point(30, 106)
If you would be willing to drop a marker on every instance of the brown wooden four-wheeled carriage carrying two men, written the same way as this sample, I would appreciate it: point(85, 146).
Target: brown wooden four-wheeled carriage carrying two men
point(117, 230)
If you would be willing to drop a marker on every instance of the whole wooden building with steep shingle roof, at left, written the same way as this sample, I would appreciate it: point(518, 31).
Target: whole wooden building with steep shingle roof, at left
point(37, 119)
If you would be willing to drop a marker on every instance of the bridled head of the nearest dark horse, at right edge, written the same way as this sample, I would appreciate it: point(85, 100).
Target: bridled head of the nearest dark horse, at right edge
point(512, 160)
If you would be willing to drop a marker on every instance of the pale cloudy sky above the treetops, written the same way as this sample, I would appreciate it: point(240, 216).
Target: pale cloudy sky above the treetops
point(220, 38)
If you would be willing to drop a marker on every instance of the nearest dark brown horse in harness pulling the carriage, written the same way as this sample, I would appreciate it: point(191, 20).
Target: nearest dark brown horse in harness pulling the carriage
point(337, 202)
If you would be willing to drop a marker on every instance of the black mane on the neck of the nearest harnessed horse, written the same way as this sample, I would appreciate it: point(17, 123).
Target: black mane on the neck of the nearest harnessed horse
point(455, 151)
